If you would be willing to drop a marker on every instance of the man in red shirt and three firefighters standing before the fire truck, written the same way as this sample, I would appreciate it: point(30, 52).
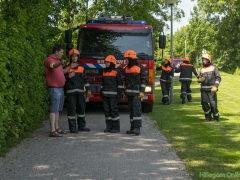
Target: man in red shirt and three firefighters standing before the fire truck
point(73, 78)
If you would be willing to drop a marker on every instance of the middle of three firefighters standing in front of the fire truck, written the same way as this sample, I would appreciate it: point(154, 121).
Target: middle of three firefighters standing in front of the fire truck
point(110, 92)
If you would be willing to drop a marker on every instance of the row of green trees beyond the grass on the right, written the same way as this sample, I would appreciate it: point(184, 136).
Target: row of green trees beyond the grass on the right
point(214, 26)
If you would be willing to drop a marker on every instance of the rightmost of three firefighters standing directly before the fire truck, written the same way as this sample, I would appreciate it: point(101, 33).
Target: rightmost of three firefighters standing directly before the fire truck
point(135, 83)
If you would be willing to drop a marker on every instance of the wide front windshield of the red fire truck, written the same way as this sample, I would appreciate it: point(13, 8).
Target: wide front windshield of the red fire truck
point(103, 42)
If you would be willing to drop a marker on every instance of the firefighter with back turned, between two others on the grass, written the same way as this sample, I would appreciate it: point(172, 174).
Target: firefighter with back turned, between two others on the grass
point(186, 69)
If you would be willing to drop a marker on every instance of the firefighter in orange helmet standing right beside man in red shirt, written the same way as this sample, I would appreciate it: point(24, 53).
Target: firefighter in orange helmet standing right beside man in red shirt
point(76, 81)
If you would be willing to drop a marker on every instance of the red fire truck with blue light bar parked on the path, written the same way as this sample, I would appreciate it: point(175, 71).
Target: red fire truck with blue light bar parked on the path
point(114, 35)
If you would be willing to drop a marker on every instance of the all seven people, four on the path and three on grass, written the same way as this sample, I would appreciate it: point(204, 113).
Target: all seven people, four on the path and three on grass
point(72, 77)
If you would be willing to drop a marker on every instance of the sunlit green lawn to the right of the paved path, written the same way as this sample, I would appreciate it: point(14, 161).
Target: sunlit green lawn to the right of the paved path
point(204, 147)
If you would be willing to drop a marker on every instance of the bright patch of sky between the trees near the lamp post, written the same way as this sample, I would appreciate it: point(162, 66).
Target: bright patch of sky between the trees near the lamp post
point(187, 6)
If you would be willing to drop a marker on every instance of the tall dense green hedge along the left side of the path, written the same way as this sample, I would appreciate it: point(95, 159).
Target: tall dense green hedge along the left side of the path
point(28, 30)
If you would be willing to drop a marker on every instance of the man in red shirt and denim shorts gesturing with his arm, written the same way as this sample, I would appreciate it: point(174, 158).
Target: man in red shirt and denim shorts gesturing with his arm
point(55, 81)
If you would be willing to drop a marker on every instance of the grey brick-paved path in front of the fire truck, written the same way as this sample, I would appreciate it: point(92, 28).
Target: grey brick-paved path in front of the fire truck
point(94, 155)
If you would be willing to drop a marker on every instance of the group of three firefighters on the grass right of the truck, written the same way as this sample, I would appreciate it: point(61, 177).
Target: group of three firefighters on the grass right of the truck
point(209, 78)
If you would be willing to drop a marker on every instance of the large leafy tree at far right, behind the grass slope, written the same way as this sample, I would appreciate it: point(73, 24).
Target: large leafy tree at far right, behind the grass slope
point(225, 15)
